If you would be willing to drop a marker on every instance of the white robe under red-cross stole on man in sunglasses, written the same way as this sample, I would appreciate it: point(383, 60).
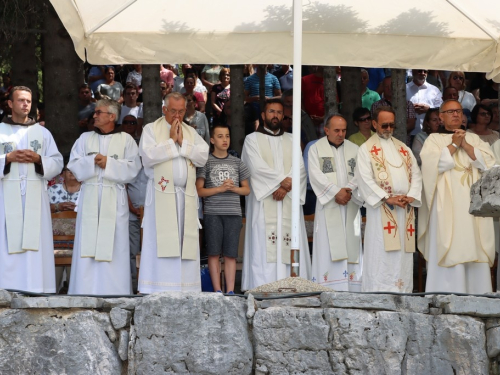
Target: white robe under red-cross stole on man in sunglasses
point(386, 271)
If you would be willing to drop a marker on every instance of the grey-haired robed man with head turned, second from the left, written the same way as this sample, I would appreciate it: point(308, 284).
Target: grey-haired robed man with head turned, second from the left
point(104, 160)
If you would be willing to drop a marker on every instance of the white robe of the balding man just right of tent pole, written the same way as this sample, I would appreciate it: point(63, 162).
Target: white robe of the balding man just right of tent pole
point(339, 275)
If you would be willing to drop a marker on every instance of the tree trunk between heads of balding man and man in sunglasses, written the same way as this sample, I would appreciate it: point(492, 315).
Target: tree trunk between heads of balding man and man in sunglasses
point(351, 96)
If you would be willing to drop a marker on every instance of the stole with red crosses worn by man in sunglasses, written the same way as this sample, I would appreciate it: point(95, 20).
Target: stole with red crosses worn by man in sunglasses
point(382, 175)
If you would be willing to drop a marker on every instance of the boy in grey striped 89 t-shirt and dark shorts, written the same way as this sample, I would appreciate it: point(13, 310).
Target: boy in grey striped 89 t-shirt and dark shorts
point(221, 182)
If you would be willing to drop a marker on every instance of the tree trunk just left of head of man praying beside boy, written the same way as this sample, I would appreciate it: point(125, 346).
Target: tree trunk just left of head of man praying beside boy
point(151, 93)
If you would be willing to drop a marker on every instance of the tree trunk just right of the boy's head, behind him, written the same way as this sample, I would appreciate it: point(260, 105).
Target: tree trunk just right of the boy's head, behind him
point(237, 108)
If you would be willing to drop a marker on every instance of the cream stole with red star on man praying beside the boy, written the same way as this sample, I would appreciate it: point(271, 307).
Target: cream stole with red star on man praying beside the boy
point(167, 230)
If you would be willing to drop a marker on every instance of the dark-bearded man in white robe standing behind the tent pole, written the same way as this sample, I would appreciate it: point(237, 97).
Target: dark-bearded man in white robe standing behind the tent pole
point(268, 155)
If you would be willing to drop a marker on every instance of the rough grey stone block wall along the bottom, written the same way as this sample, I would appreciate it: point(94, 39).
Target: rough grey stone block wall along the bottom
point(208, 333)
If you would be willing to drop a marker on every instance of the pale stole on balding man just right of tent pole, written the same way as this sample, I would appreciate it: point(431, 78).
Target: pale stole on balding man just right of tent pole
point(347, 246)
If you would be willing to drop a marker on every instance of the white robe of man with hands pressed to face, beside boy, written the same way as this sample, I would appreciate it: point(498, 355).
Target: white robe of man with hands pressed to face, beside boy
point(173, 273)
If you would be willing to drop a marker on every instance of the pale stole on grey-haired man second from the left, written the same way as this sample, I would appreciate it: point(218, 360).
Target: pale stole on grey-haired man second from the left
point(99, 223)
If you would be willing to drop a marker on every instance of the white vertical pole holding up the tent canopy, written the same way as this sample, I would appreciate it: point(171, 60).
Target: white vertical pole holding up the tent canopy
point(297, 152)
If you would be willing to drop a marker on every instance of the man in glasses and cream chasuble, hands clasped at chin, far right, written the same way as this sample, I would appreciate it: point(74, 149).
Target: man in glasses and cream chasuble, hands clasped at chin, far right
point(459, 248)
